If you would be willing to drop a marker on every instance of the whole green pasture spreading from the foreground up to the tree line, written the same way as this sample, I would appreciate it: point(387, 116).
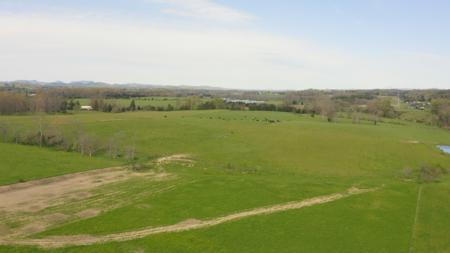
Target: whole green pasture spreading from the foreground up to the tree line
point(238, 161)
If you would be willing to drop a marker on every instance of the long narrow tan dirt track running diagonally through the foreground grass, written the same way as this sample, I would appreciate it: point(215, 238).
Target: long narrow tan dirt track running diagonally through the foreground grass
point(78, 240)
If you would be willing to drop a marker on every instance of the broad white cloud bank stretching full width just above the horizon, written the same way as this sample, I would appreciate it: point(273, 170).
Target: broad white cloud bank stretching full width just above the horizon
point(49, 47)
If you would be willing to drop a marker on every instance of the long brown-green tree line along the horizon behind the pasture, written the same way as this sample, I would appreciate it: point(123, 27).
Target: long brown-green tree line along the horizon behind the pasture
point(371, 104)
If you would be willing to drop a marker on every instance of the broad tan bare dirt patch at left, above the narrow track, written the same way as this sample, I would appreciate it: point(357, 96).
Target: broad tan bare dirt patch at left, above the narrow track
point(39, 205)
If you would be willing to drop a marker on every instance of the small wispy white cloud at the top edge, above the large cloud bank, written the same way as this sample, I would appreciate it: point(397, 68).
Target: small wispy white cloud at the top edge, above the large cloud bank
point(203, 9)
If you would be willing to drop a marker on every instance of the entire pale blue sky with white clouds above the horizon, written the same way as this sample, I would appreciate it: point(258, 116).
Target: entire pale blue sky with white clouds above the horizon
point(245, 44)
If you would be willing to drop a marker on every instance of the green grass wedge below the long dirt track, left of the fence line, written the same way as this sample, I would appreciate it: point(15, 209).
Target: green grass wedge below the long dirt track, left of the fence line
point(378, 222)
